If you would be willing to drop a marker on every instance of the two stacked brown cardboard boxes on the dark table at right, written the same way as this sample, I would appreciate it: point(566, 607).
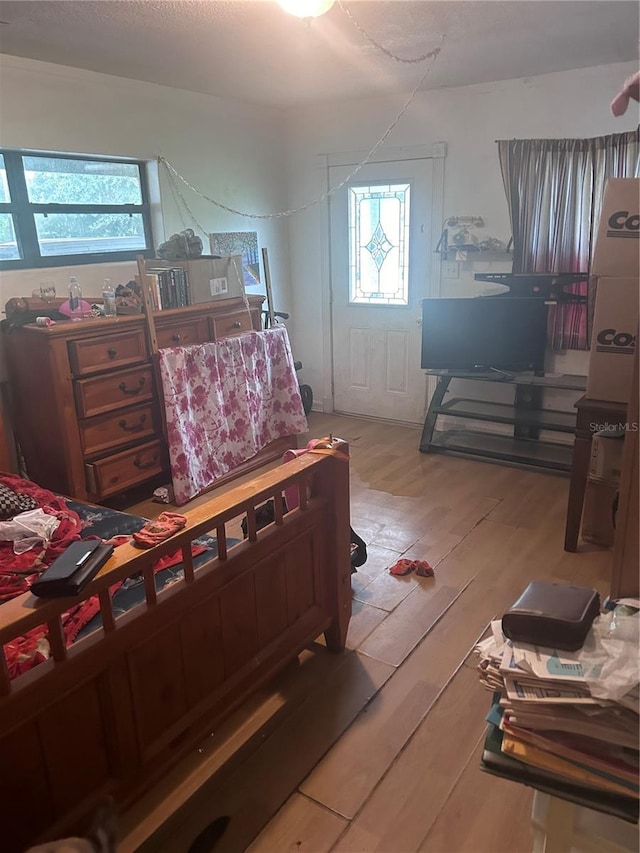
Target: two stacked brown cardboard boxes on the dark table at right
point(616, 269)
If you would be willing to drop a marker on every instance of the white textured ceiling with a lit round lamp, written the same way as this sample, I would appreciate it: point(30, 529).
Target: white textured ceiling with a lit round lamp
point(253, 51)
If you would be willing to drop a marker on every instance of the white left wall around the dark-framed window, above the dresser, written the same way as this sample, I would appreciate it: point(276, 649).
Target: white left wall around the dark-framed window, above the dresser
point(231, 151)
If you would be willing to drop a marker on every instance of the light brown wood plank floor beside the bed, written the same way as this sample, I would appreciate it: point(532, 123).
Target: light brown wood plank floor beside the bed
point(378, 748)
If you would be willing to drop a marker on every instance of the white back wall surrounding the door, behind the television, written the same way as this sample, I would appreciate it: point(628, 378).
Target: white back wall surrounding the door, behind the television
point(469, 119)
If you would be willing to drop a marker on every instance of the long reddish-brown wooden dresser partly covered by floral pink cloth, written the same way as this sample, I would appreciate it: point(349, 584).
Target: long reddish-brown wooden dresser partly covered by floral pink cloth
point(86, 407)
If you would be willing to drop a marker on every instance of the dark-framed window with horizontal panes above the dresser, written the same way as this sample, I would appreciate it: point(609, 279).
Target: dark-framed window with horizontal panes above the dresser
point(57, 209)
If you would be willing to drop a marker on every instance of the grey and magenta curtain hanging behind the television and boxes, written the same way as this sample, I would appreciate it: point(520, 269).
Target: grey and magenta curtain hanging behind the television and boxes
point(554, 192)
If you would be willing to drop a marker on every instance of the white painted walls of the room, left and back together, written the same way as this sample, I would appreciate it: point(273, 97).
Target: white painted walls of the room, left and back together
point(260, 160)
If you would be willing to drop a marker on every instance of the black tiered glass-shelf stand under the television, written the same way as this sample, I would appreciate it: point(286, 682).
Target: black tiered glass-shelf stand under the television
point(528, 441)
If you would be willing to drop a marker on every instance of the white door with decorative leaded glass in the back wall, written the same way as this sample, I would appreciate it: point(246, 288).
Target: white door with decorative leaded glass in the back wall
point(381, 269)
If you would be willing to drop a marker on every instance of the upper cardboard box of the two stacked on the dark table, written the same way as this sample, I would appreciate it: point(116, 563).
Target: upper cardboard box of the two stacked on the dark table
point(617, 243)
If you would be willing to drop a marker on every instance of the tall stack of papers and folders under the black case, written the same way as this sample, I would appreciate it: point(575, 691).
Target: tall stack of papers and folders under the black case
point(546, 729)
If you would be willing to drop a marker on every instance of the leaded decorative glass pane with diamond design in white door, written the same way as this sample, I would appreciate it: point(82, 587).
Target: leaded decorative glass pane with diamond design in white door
point(379, 244)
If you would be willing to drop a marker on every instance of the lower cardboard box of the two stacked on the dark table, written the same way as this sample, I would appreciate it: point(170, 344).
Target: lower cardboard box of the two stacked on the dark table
point(613, 339)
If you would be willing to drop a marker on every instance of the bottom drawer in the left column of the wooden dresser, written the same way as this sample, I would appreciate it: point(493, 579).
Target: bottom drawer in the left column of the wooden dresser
point(122, 470)
